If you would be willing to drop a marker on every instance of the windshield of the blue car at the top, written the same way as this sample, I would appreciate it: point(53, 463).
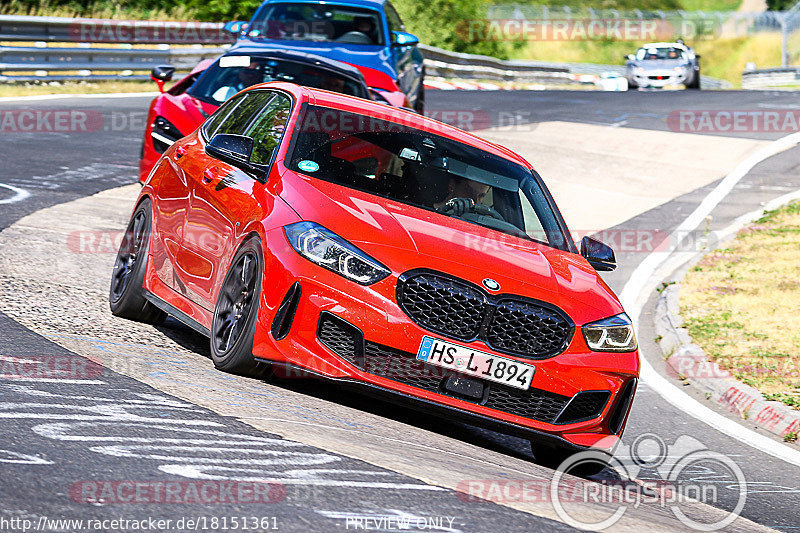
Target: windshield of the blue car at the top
point(318, 22)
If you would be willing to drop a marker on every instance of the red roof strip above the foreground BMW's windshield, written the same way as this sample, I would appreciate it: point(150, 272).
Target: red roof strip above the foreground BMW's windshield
point(393, 114)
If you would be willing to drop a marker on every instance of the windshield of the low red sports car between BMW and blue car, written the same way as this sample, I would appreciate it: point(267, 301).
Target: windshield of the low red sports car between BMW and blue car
point(233, 73)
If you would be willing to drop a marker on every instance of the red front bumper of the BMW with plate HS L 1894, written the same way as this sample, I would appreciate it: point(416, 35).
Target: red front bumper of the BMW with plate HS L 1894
point(299, 297)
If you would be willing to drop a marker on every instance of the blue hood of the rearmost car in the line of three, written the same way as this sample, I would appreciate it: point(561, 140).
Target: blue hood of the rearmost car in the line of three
point(374, 57)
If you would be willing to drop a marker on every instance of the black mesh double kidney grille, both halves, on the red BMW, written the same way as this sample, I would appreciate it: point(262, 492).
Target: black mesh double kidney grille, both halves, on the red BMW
point(455, 309)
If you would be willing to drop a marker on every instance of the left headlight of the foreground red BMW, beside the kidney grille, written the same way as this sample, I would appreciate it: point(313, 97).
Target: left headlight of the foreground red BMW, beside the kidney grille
point(323, 247)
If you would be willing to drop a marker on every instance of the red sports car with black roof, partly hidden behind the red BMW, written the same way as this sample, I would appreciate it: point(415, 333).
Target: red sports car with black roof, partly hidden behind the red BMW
point(180, 110)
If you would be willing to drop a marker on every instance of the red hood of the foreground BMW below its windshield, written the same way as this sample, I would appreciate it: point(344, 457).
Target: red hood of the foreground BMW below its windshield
point(403, 238)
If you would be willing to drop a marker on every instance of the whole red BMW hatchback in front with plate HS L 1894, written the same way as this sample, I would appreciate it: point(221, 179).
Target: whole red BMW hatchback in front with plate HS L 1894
point(303, 229)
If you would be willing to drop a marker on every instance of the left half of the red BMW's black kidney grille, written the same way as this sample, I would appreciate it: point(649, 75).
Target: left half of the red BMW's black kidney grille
point(443, 305)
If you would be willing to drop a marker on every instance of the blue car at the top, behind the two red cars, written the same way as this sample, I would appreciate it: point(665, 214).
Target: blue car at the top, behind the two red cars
point(368, 34)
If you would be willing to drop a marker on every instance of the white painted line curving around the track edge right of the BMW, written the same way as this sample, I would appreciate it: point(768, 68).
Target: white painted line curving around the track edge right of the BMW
point(637, 290)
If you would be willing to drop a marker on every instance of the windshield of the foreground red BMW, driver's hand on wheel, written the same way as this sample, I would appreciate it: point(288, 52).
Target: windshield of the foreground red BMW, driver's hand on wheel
point(425, 170)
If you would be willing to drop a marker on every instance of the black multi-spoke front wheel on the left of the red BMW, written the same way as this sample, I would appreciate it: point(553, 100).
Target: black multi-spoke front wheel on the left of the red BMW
point(235, 314)
